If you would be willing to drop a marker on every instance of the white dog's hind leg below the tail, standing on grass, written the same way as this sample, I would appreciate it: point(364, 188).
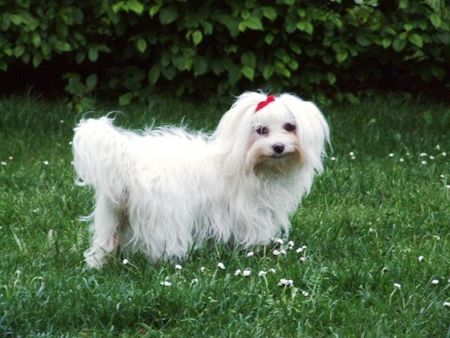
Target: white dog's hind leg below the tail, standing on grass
point(106, 232)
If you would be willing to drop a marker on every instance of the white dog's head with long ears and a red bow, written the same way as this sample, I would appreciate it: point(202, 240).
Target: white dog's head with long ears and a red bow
point(272, 134)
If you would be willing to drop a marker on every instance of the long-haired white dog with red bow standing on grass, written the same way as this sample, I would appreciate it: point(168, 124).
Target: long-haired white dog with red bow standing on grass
point(164, 190)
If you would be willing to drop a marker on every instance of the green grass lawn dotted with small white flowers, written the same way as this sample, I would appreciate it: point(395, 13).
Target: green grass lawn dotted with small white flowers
point(376, 226)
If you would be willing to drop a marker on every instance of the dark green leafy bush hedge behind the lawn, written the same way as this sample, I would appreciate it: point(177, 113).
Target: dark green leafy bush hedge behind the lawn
point(319, 48)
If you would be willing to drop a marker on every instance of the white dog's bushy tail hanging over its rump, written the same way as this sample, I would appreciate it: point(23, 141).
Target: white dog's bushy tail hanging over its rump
point(99, 151)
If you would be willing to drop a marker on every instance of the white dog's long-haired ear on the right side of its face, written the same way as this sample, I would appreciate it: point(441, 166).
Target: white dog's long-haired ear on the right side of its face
point(312, 128)
